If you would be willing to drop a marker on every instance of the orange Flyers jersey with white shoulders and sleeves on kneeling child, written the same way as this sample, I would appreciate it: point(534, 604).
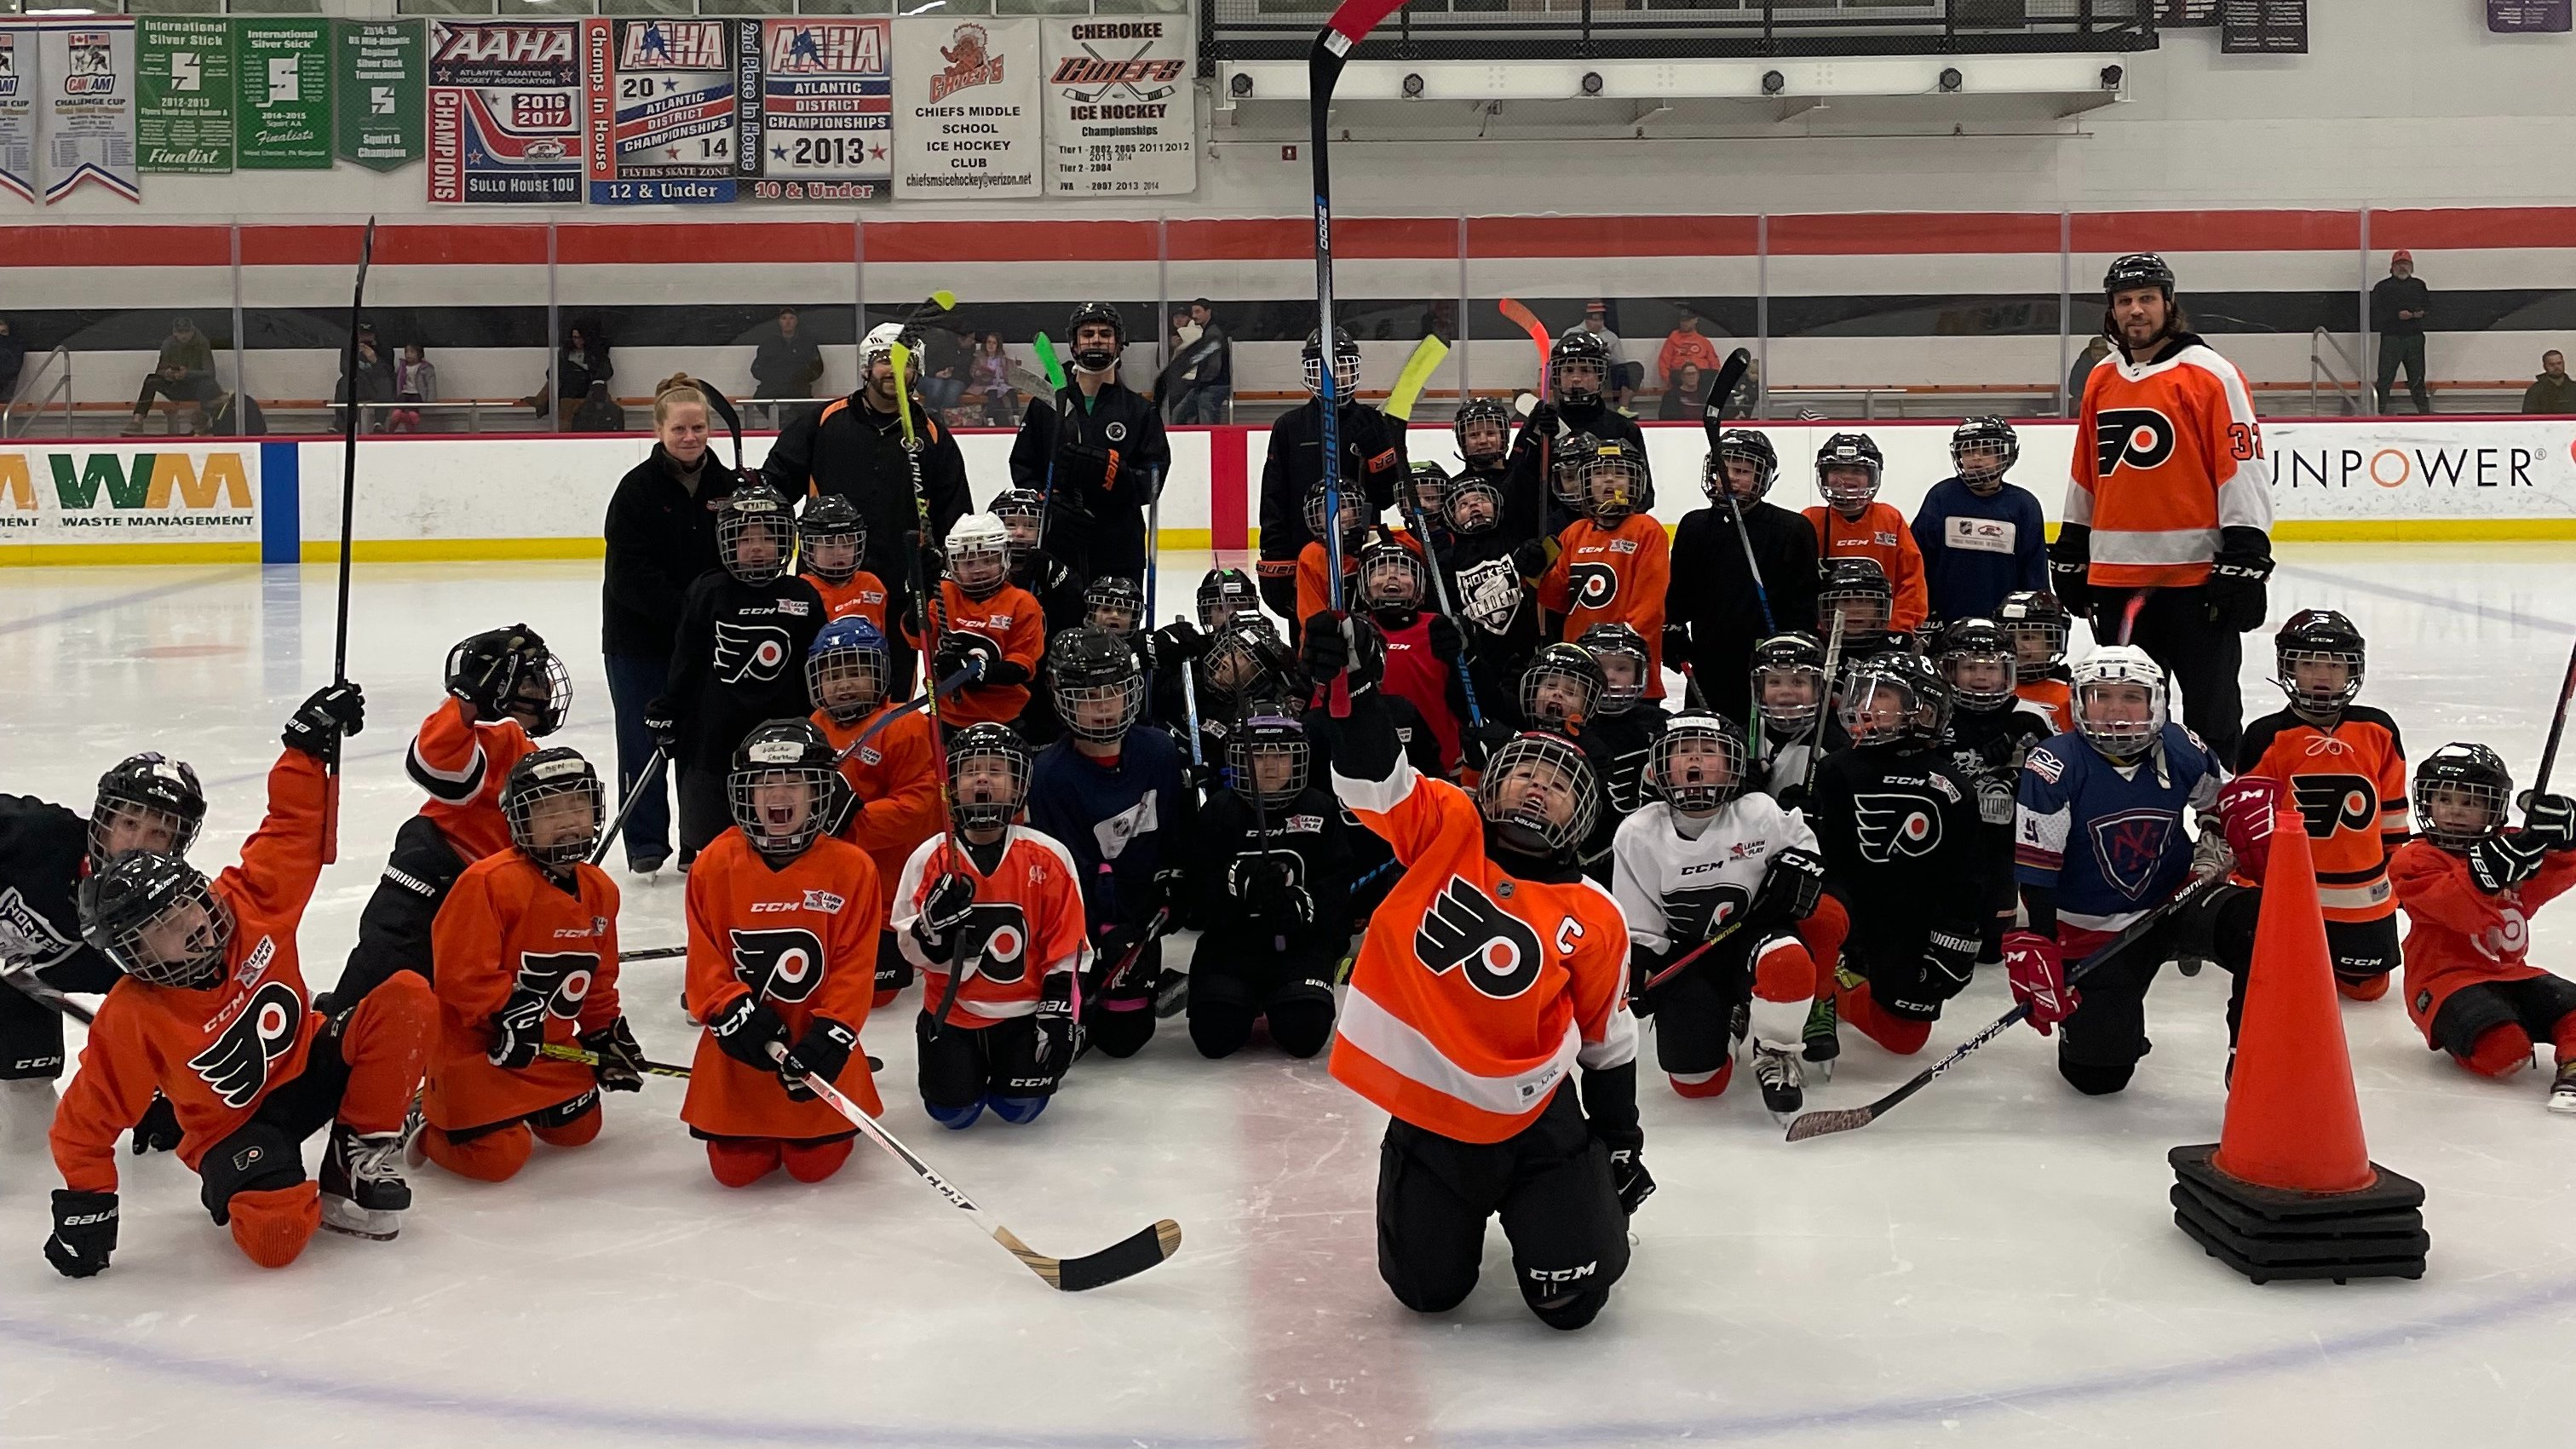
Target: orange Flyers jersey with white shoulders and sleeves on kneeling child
point(1027, 924)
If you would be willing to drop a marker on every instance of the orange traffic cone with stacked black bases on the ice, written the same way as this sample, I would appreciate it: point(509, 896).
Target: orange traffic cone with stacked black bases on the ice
point(2289, 1190)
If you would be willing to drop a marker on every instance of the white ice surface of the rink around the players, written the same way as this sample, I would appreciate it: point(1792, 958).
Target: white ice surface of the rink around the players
point(1995, 1265)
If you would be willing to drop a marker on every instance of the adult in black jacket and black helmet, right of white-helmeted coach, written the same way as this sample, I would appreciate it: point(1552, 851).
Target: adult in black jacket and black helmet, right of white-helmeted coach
point(1109, 455)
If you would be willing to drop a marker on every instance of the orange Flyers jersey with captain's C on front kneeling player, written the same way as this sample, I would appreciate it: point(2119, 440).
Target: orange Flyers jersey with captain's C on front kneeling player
point(1477, 991)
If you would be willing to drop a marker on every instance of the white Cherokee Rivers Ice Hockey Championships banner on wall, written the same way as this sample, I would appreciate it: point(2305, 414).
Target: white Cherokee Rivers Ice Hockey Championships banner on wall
point(1122, 117)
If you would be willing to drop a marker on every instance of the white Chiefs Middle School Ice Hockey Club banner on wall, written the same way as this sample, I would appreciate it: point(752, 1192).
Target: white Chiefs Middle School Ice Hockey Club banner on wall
point(967, 107)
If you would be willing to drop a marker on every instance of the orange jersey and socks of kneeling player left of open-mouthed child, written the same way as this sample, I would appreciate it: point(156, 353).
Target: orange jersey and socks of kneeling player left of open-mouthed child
point(506, 940)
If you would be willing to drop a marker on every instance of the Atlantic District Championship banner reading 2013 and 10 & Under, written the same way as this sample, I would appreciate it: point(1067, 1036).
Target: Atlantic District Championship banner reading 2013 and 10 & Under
point(826, 107)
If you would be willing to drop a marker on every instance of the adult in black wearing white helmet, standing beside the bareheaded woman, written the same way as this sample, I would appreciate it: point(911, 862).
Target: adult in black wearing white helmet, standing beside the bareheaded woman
point(857, 447)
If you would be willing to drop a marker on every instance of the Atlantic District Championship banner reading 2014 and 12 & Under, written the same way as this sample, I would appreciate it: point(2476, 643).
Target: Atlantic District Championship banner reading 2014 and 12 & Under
point(661, 110)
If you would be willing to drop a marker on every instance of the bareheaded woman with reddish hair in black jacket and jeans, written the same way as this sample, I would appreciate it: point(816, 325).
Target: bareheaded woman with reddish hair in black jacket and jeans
point(661, 538)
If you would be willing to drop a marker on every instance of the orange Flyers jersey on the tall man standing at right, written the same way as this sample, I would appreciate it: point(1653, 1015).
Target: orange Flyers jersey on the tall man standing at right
point(2168, 455)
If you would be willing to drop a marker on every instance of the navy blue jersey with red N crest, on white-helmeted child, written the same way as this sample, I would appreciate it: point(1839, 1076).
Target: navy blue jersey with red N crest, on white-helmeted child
point(2111, 839)
